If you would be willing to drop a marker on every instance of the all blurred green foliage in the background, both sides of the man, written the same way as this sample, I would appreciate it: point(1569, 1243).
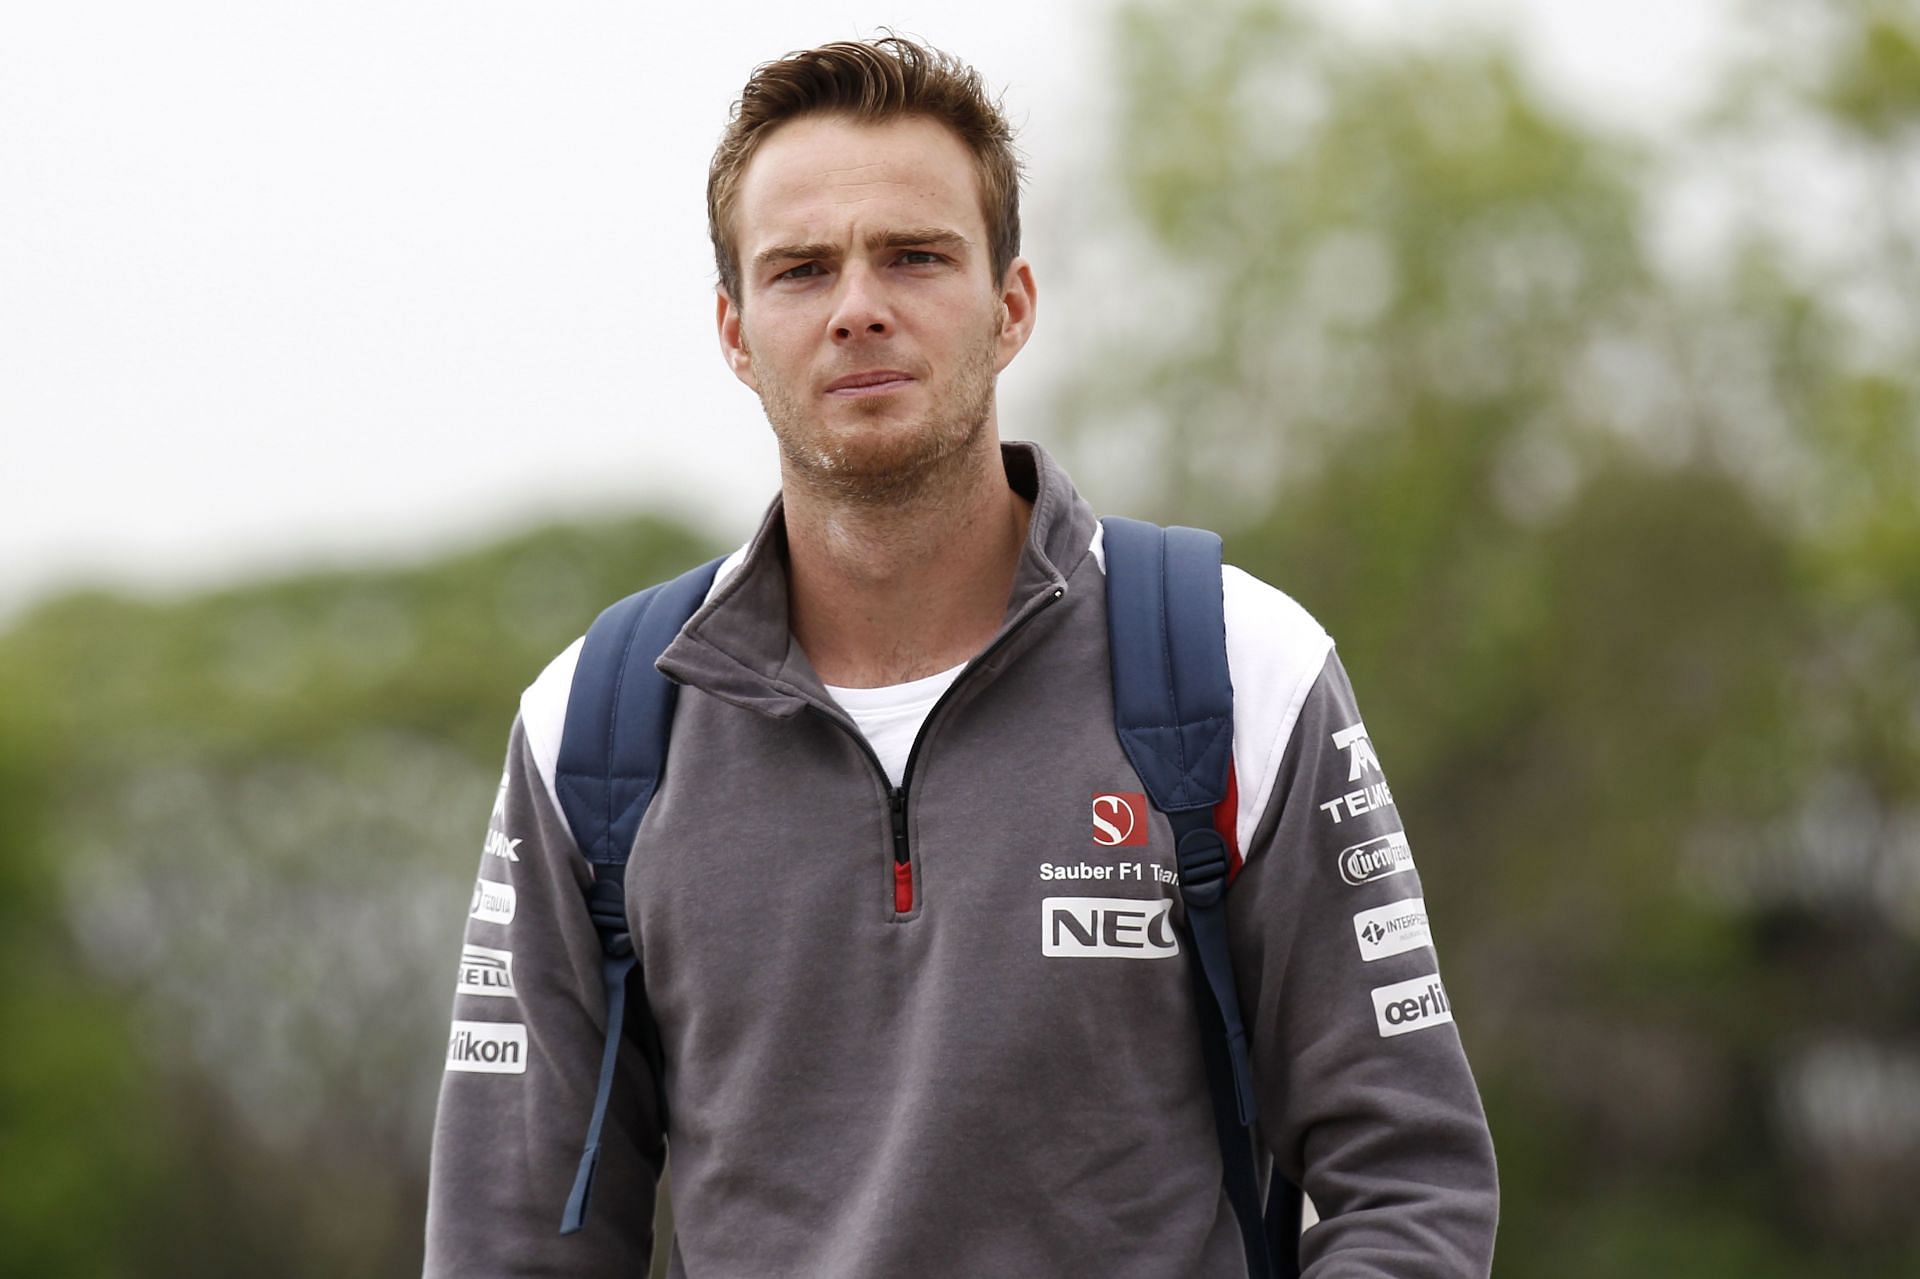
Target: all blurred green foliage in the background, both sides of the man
point(1598, 454)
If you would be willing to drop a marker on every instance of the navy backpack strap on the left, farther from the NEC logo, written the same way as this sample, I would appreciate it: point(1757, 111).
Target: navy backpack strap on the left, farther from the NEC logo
point(613, 752)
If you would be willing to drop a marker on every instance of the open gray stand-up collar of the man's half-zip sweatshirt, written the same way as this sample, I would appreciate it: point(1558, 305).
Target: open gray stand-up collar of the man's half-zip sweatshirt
point(738, 646)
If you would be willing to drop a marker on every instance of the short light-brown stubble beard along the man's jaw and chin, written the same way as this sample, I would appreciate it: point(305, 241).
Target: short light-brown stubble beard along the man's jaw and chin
point(888, 464)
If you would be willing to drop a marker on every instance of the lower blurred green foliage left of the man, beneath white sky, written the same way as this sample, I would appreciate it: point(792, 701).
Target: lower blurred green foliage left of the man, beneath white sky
point(239, 836)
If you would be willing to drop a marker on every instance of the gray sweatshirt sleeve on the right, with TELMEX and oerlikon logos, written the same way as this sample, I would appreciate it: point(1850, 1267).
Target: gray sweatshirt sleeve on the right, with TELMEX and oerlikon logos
point(1366, 1096)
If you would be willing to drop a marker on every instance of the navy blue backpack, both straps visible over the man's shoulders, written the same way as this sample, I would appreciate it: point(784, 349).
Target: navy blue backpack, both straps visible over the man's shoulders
point(1174, 715)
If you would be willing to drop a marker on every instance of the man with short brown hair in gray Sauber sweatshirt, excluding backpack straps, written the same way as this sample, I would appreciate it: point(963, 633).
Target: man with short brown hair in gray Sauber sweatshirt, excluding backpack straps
point(894, 748)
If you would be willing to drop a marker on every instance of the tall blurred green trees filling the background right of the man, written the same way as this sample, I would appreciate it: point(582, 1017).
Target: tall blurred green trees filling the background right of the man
point(1602, 468)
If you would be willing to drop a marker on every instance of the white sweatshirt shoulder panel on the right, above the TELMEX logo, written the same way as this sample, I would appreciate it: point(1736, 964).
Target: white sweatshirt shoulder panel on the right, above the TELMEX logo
point(1276, 652)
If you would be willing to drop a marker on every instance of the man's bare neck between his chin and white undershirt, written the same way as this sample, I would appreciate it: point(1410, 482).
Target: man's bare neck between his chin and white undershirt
point(884, 592)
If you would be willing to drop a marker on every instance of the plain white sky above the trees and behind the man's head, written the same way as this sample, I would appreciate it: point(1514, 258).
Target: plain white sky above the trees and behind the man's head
point(354, 281)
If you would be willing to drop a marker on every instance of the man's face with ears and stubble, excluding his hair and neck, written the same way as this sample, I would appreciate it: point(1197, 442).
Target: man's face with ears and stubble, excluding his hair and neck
point(869, 320)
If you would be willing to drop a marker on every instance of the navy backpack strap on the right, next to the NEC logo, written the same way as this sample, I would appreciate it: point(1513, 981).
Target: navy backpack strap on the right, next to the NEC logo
point(1174, 715)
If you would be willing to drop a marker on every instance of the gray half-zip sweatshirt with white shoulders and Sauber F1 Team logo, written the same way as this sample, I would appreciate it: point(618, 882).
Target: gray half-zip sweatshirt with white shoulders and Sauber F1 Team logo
point(1001, 1078)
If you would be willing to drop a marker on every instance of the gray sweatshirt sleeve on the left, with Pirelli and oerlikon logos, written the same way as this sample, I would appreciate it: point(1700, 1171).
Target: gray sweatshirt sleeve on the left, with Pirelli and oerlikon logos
point(523, 1065)
